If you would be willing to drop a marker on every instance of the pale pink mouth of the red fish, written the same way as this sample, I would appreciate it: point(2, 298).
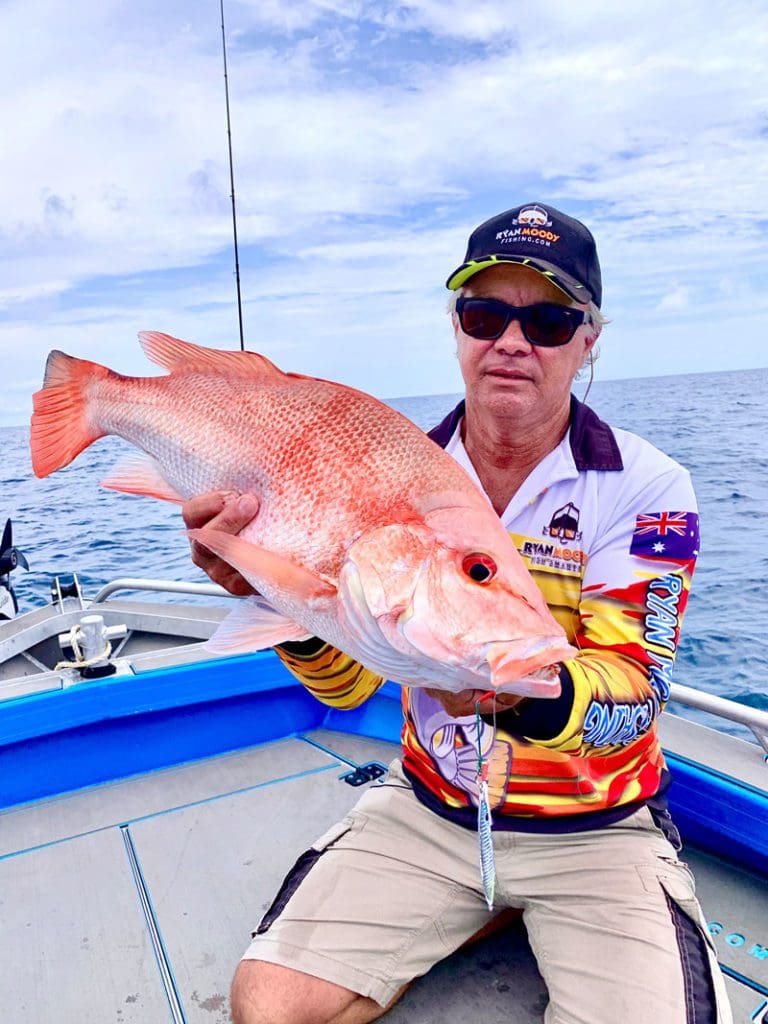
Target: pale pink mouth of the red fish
point(533, 671)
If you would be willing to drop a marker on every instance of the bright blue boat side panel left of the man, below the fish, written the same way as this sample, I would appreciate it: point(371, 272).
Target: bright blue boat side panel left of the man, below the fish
point(62, 741)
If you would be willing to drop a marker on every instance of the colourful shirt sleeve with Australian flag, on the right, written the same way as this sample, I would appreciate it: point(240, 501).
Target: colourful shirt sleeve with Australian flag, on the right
point(633, 596)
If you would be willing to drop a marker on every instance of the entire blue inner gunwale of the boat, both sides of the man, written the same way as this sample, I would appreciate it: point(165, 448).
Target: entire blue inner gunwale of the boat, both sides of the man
point(103, 731)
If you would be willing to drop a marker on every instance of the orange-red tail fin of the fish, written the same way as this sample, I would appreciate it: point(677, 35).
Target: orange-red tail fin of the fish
point(62, 426)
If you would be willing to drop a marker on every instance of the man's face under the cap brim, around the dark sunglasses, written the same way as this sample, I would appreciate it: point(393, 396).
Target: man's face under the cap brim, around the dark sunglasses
point(509, 378)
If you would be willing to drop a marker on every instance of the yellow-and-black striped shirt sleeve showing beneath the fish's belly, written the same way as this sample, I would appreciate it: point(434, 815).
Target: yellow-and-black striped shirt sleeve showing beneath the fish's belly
point(331, 676)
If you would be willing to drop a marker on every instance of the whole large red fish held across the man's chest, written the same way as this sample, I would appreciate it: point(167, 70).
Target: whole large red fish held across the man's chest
point(369, 535)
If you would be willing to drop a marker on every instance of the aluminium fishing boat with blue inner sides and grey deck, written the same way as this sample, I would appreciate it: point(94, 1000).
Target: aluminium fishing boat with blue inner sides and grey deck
point(153, 797)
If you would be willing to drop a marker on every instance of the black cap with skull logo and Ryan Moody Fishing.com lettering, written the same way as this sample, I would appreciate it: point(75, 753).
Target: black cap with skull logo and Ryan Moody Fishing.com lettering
point(540, 237)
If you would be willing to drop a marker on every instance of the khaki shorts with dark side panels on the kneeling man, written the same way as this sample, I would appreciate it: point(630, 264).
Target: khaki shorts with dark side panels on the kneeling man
point(393, 889)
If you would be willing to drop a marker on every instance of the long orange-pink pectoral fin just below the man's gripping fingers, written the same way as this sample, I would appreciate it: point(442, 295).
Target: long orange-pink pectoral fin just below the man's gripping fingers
point(265, 569)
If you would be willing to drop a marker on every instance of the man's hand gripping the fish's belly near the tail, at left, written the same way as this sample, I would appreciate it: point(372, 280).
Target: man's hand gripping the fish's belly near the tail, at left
point(229, 513)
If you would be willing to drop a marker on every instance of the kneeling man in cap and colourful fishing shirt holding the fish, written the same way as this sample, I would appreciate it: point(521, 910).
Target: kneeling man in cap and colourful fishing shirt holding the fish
point(583, 842)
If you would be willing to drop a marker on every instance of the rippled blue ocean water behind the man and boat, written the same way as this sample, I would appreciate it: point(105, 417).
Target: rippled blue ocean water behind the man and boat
point(716, 424)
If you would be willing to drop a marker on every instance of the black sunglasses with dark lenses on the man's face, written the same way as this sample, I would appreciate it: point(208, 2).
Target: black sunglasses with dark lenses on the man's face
point(543, 324)
